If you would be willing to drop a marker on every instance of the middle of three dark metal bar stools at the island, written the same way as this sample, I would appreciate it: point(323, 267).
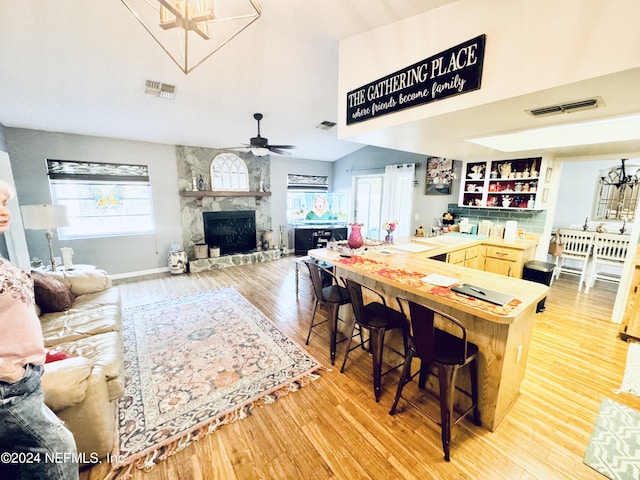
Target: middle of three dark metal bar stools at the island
point(376, 317)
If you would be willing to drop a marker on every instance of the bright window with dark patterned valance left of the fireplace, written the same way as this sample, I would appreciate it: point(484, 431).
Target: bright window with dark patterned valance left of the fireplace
point(102, 199)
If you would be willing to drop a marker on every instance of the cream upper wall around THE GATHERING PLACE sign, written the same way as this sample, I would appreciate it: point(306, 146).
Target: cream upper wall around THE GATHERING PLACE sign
point(531, 45)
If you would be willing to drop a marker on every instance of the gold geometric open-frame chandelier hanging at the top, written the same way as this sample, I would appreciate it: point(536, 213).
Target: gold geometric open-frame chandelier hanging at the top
point(190, 31)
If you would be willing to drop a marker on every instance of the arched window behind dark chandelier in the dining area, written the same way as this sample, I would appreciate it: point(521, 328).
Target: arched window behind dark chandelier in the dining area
point(617, 194)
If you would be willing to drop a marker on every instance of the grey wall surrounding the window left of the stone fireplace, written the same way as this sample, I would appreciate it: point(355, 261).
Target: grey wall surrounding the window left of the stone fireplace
point(28, 150)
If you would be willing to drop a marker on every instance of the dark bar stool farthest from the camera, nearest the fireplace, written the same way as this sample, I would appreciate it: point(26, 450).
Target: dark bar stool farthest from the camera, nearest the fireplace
point(331, 297)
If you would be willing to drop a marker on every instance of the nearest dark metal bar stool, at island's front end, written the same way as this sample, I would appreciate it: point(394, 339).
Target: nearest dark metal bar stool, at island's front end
point(448, 353)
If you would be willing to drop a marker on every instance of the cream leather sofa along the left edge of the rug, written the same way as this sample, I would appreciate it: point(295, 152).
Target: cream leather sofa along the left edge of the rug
point(83, 390)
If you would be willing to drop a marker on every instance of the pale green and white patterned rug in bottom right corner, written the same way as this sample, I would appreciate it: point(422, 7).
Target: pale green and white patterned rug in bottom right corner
point(614, 448)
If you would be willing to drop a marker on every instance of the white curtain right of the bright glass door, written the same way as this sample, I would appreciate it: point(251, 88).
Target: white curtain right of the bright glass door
point(397, 197)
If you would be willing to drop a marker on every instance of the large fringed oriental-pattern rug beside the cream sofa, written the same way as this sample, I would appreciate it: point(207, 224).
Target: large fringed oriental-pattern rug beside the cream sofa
point(195, 363)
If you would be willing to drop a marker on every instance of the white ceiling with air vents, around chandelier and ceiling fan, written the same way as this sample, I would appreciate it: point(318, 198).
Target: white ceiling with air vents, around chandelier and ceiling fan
point(79, 66)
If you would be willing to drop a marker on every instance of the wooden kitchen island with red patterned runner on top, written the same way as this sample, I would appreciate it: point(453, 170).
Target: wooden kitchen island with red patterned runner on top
point(501, 333)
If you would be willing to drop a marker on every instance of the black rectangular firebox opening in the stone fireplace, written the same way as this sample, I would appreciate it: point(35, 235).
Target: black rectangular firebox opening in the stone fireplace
point(232, 231)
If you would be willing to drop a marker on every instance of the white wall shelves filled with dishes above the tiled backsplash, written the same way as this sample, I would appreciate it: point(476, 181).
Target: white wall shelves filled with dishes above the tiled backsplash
point(502, 184)
